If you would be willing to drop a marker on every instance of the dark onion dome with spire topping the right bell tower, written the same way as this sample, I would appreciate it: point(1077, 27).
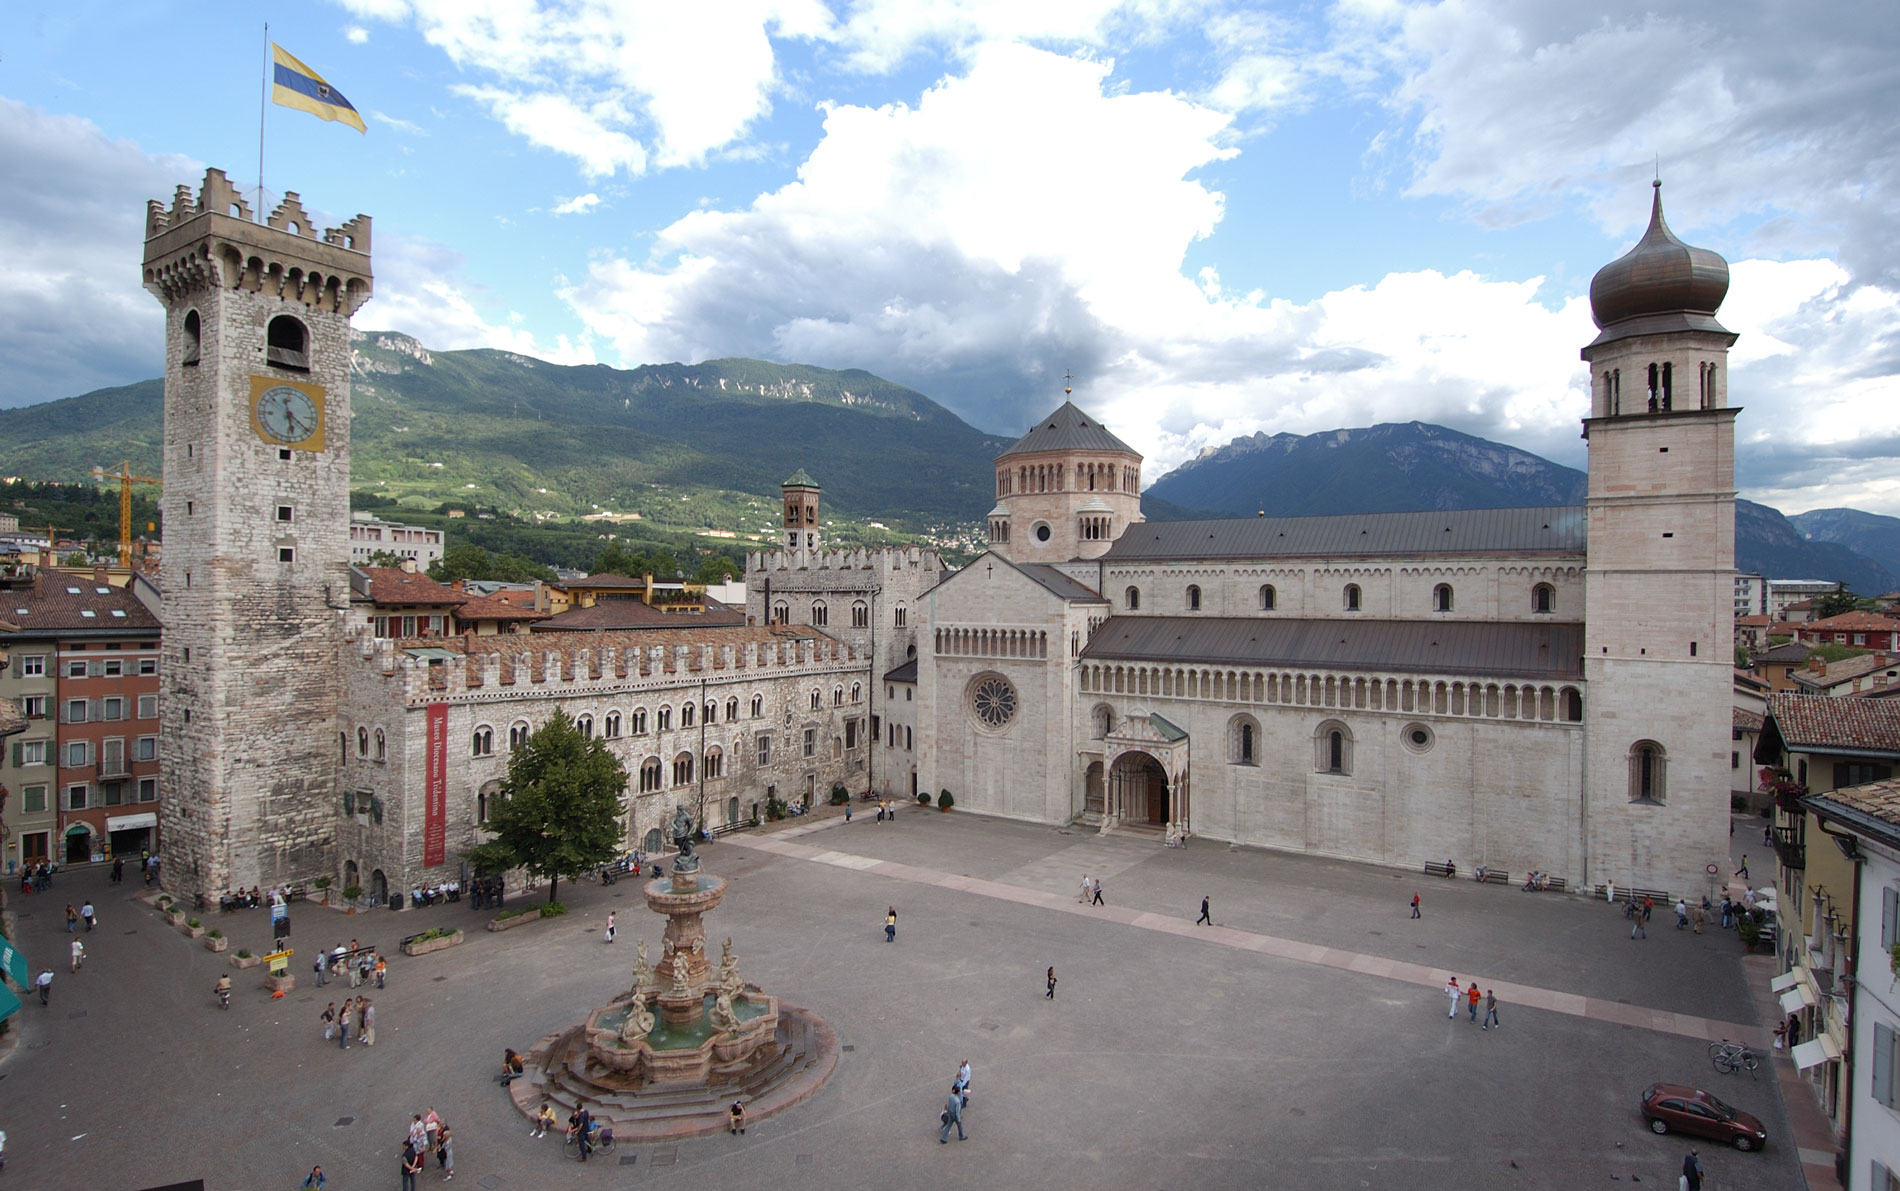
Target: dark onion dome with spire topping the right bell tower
point(1663, 282)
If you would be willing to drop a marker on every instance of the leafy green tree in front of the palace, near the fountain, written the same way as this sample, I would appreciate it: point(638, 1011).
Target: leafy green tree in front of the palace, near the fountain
point(561, 806)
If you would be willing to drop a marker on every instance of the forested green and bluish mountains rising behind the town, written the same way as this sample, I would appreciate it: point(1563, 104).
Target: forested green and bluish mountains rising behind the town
point(706, 445)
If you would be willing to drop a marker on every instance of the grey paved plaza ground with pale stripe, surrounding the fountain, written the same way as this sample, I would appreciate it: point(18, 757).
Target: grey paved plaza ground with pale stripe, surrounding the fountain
point(1302, 1042)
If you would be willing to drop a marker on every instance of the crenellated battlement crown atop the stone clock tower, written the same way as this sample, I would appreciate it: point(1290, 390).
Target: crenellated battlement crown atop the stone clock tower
point(212, 240)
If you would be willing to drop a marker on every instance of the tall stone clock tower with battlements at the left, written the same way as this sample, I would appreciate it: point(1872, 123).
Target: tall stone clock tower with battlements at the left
point(257, 531)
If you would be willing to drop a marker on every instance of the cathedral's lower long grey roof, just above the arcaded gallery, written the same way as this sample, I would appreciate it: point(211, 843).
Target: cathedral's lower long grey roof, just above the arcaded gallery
point(1515, 651)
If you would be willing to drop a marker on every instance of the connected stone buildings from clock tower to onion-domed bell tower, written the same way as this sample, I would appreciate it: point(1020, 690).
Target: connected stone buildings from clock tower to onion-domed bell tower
point(1511, 689)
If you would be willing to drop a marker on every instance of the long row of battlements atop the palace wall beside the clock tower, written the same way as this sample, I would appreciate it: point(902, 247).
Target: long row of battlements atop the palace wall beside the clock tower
point(577, 664)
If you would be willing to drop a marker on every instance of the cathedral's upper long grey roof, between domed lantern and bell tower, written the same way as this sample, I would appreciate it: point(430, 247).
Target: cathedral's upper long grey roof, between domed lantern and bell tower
point(1548, 531)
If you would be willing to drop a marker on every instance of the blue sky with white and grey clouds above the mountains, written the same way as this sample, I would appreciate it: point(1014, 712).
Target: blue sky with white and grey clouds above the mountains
point(1223, 217)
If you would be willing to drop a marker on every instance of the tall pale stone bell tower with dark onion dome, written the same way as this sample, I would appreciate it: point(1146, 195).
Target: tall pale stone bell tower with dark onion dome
point(1660, 578)
